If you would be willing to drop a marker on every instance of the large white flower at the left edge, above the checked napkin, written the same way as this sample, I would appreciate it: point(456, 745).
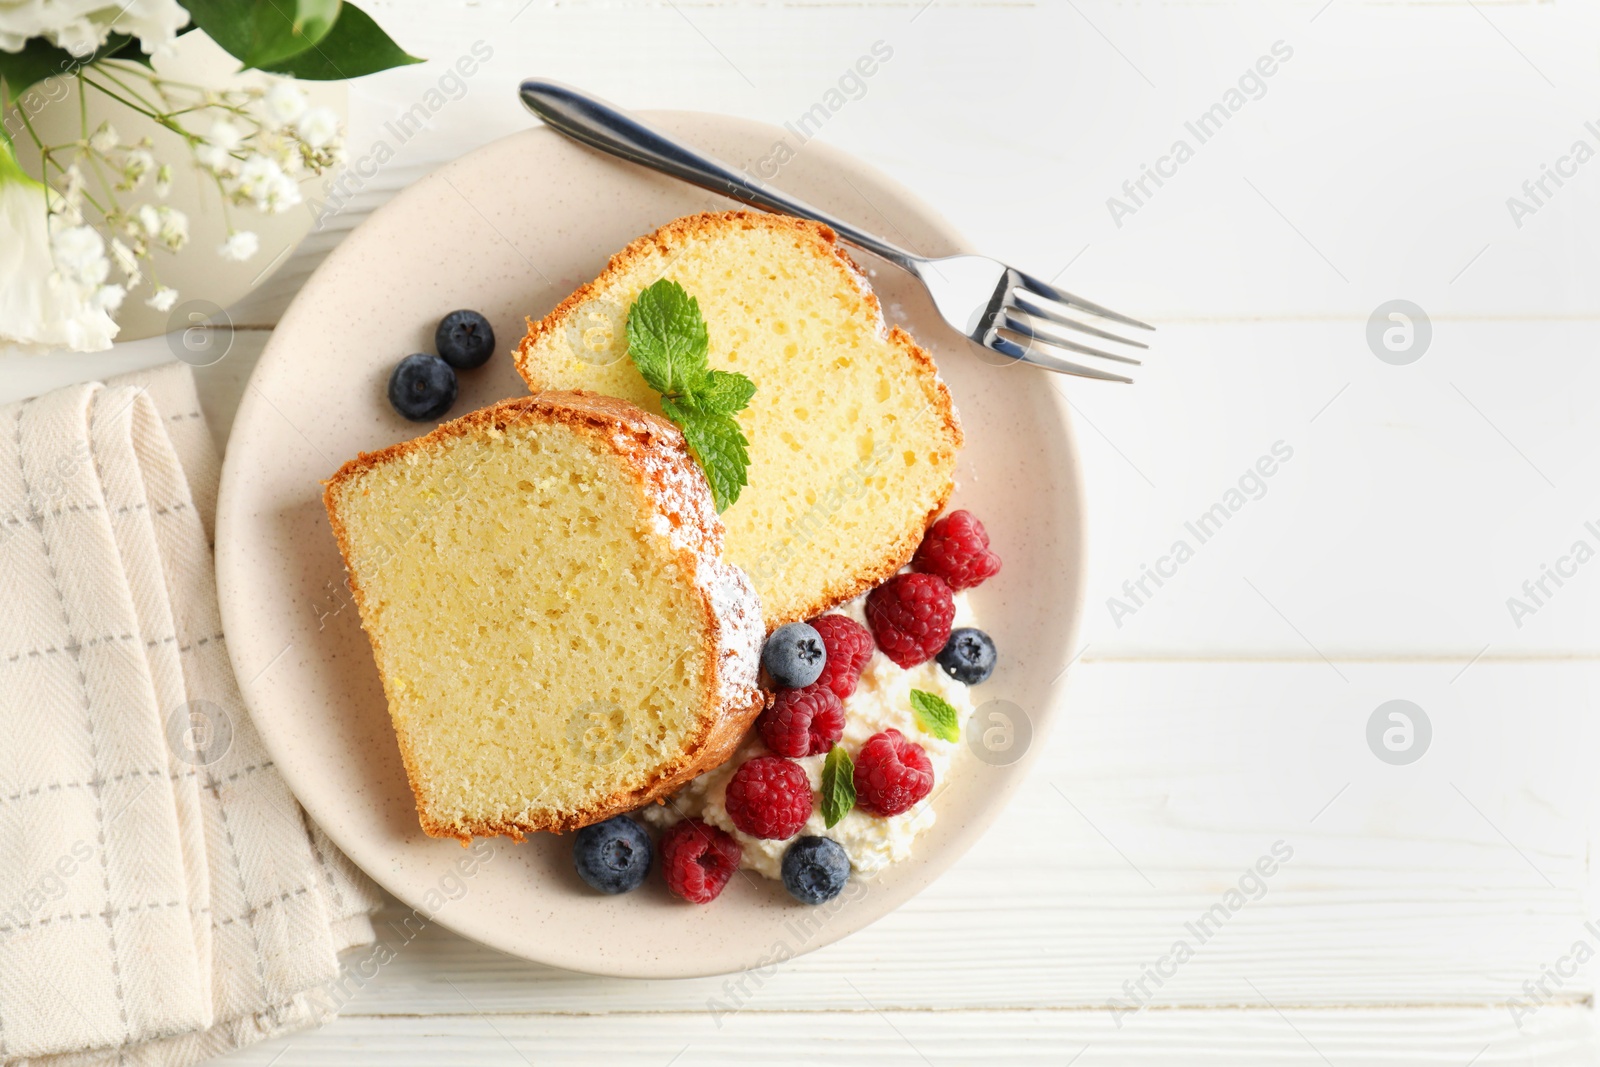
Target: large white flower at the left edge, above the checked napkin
point(44, 306)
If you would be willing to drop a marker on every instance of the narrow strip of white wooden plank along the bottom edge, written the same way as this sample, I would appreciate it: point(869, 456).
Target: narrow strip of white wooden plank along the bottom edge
point(1266, 1037)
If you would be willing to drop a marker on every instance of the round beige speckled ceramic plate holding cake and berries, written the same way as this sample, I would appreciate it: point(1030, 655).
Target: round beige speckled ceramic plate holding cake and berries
point(511, 231)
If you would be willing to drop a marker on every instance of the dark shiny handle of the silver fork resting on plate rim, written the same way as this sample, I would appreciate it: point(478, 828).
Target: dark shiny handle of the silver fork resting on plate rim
point(601, 126)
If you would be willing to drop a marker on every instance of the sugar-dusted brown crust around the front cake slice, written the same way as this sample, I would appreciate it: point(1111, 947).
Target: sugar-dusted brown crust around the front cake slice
point(674, 492)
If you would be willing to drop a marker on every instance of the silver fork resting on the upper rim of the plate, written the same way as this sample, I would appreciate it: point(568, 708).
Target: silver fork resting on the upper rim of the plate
point(993, 305)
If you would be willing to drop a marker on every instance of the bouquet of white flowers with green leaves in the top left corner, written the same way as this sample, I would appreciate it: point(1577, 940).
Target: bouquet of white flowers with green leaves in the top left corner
point(86, 233)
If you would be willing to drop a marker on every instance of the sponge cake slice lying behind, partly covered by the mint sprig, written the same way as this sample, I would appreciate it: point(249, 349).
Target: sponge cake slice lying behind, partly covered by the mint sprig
point(854, 436)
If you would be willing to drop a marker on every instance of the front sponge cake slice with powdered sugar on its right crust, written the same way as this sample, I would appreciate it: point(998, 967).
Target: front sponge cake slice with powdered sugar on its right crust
point(558, 636)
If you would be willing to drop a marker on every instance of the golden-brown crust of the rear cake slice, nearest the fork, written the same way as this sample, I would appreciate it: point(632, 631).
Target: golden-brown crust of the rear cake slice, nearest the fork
point(825, 242)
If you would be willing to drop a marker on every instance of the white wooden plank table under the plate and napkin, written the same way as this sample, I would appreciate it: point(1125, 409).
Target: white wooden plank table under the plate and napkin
point(1223, 713)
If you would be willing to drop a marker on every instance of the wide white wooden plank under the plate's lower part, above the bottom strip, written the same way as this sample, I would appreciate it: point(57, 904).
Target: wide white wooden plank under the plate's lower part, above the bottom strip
point(1446, 882)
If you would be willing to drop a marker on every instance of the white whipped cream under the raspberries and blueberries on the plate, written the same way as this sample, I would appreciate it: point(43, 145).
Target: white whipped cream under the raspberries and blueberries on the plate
point(882, 701)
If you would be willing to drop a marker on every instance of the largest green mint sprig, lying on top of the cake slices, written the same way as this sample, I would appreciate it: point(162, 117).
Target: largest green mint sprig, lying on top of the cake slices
point(668, 343)
